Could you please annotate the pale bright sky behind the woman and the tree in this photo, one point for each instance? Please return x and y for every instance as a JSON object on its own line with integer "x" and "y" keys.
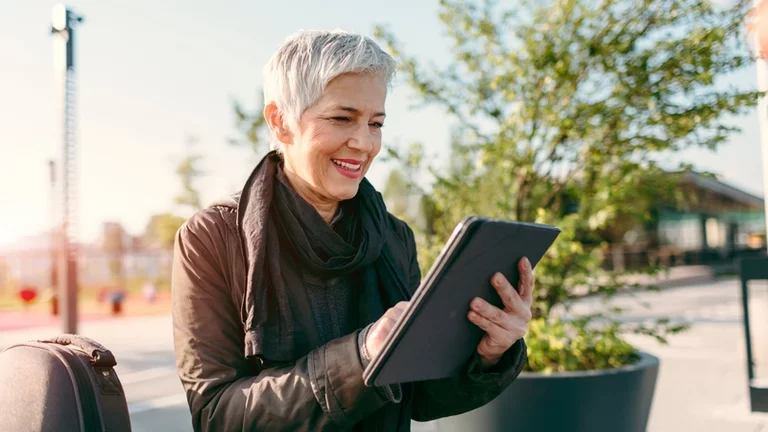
{"x": 150, "y": 74}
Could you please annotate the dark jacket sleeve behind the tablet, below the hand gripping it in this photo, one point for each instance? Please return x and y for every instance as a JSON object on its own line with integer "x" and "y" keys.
{"x": 473, "y": 387}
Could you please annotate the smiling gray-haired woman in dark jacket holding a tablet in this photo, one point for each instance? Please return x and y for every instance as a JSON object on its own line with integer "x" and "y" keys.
{"x": 283, "y": 293}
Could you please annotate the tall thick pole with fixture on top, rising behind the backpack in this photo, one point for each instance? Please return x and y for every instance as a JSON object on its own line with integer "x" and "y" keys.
{"x": 63, "y": 30}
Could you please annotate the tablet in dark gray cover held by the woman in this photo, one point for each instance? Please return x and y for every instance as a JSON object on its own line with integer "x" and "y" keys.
{"x": 434, "y": 338}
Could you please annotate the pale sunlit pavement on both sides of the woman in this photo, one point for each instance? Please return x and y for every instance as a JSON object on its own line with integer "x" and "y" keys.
{"x": 702, "y": 380}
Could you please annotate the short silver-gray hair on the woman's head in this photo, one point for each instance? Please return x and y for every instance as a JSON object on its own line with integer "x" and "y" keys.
{"x": 297, "y": 74}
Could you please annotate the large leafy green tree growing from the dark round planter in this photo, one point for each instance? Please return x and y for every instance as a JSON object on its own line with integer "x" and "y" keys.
{"x": 565, "y": 113}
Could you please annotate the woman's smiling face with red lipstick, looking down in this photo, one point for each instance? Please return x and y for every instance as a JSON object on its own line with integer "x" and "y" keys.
{"x": 338, "y": 138}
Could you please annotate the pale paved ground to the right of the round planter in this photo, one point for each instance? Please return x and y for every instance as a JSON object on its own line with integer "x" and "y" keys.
{"x": 702, "y": 384}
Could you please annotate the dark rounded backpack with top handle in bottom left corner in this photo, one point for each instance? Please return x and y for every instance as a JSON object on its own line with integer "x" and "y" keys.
{"x": 67, "y": 383}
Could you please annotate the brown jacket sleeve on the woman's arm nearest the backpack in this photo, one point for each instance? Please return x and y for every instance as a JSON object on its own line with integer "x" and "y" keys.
{"x": 321, "y": 390}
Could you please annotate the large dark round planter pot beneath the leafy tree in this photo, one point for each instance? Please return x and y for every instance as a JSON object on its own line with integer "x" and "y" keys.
{"x": 596, "y": 401}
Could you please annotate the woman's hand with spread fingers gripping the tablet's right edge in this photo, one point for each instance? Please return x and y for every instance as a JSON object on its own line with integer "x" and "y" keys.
{"x": 504, "y": 327}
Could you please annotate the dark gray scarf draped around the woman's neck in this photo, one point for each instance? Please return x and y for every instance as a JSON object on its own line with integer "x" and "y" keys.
{"x": 272, "y": 216}
